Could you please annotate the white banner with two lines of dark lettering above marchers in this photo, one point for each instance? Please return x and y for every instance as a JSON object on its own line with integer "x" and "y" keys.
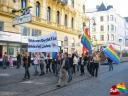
{"x": 47, "y": 43}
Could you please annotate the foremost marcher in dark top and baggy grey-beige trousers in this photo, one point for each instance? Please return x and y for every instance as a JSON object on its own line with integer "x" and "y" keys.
{"x": 63, "y": 76}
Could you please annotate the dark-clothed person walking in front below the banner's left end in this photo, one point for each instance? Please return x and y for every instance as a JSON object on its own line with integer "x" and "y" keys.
{"x": 26, "y": 65}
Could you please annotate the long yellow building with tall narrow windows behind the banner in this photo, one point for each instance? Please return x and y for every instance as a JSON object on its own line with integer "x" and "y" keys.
{"x": 65, "y": 17}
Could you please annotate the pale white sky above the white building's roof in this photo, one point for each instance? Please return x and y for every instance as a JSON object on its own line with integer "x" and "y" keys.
{"x": 121, "y": 6}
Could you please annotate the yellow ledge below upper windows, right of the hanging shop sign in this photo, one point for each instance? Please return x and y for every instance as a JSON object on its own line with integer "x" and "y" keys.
{"x": 48, "y": 24}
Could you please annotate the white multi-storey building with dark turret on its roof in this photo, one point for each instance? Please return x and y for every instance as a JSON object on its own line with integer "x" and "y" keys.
{"x": 107, "y": 27}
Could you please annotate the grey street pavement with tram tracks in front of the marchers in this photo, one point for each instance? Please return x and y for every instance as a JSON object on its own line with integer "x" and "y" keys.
{"x": 11, "y": 83}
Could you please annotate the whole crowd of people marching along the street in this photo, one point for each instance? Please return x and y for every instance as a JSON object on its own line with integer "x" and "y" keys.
{"x": 62, "y": 65}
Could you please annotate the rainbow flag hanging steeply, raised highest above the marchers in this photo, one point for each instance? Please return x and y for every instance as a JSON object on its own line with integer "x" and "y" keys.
{"x": 86, "y": 41}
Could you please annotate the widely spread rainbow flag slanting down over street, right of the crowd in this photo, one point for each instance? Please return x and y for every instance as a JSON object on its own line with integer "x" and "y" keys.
{"x": 111, "y": 53}
